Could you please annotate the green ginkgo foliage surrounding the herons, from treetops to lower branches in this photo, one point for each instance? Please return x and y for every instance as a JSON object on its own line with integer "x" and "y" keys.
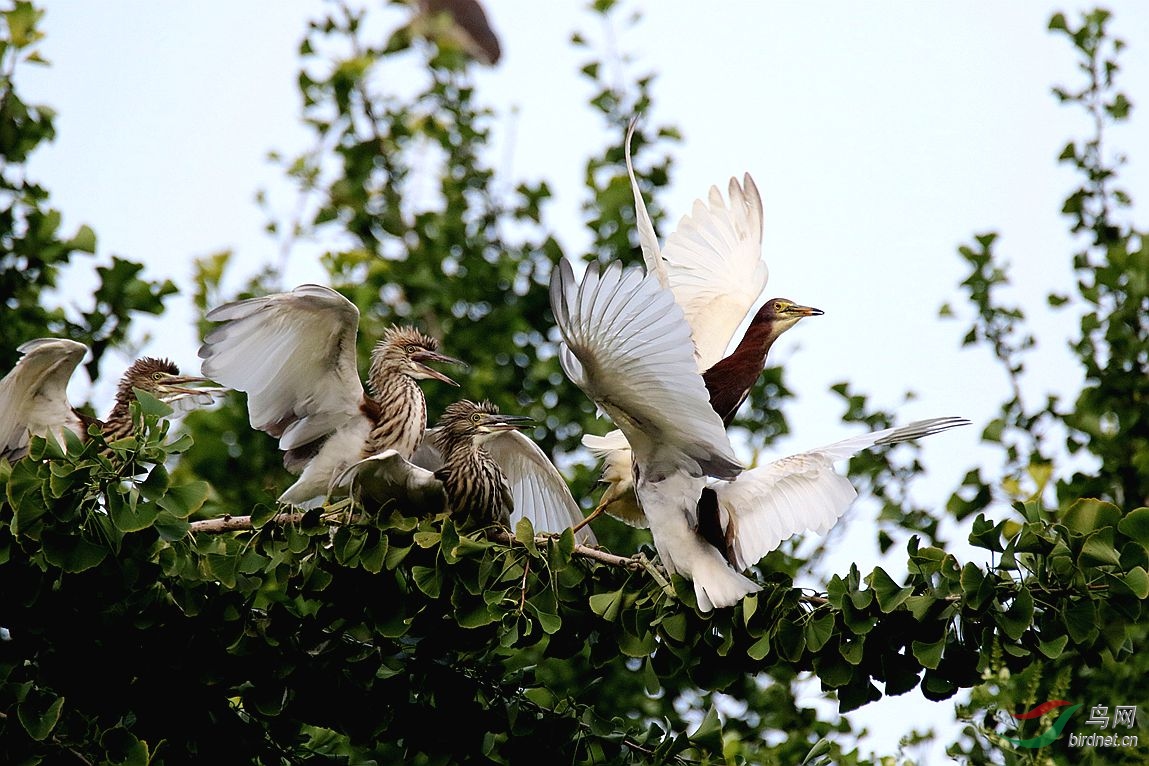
{"x": 157, "y": 607}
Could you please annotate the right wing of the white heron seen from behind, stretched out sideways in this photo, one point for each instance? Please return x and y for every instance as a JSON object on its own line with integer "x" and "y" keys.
{"x": 801, "y": 493}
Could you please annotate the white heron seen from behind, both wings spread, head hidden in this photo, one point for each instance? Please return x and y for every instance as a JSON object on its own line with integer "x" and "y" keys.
{"x": 627, "y": 345}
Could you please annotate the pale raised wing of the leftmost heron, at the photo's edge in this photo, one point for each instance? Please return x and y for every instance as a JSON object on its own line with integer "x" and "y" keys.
{"x": 34, "y": 396}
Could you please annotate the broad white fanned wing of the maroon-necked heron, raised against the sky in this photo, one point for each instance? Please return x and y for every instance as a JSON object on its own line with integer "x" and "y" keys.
{"x": 715, "y": 268}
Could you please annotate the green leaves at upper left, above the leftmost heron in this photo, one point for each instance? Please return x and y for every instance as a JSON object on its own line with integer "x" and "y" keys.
{"x": 33, "y": 249}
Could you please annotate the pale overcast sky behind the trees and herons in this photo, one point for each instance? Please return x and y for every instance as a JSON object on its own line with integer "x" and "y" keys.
{"x": 883, "y": 136}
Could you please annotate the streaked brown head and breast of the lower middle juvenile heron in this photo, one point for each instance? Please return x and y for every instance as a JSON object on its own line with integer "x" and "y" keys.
{"x": 474, "y": 482}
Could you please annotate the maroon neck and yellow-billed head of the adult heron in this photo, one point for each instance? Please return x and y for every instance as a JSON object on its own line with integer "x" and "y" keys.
{"x": 731, "y": 380}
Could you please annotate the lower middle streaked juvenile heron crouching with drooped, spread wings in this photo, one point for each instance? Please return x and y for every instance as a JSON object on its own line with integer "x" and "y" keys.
{"x": 466, "y": 443}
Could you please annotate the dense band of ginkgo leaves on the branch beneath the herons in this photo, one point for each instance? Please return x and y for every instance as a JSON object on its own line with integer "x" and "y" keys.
{"x": 318, "y": 635}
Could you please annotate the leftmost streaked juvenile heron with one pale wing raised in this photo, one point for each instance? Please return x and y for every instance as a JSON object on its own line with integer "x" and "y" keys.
{"x": 34, "y": 396}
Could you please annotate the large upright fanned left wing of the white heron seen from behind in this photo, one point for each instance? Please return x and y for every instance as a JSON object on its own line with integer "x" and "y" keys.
{"x": 628, "y": 346}
